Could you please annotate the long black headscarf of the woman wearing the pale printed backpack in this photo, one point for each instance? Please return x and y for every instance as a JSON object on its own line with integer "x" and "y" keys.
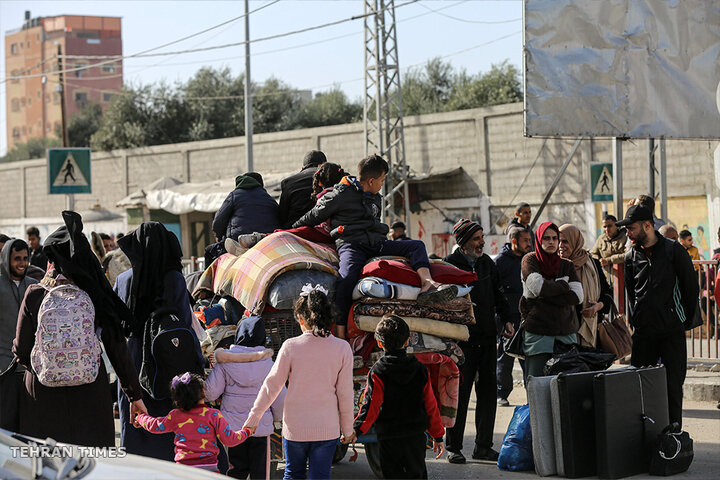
{"x": 69, "y": 251}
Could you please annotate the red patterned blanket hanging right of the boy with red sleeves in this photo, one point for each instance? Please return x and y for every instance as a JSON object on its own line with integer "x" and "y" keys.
{"x": 445, "y": 380}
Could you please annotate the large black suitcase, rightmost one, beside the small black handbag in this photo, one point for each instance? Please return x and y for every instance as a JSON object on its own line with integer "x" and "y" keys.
{"x": 631, "y": 409}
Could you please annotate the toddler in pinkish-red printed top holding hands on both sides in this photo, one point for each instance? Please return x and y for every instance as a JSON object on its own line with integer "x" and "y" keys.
{"x": 197, "y": 427}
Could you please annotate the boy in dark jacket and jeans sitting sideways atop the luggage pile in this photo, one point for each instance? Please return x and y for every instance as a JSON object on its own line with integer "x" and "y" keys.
{"x": 353, "y": 209}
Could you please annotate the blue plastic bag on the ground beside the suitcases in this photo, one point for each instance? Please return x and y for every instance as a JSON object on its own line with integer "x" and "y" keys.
{"x": 516, "y": 449}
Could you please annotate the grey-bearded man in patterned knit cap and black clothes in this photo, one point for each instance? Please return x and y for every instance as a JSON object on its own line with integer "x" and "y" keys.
{"x": 480, "y": 349}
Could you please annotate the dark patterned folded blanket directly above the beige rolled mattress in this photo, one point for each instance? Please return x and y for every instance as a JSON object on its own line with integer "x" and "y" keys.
{"x": 457, "y": 310}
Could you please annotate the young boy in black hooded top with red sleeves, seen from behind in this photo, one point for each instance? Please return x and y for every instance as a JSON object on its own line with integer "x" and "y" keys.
{"x": 399, "y": 400}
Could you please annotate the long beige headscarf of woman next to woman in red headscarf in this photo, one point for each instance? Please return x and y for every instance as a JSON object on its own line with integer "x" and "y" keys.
{"x": 588, "y": 275}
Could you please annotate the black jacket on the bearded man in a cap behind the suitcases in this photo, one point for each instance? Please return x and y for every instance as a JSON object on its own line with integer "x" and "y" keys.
{"x": 662, "y": 290}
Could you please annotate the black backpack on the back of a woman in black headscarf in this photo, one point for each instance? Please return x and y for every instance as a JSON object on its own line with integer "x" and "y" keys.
{"x": 168, "y": 350}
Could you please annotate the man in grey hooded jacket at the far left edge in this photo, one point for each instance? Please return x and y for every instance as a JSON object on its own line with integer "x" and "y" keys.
{"x": 13, "y": 283}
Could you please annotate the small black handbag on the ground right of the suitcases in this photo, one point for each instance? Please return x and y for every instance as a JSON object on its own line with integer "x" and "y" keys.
{"x": 673, "y": 452}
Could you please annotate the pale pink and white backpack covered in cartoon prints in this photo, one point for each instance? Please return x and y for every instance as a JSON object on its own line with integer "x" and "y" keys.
{"x": 67, "y": 351}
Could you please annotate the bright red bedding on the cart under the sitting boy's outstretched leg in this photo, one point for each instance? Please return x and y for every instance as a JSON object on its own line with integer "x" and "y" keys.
{"x": 401, "y": 272}
